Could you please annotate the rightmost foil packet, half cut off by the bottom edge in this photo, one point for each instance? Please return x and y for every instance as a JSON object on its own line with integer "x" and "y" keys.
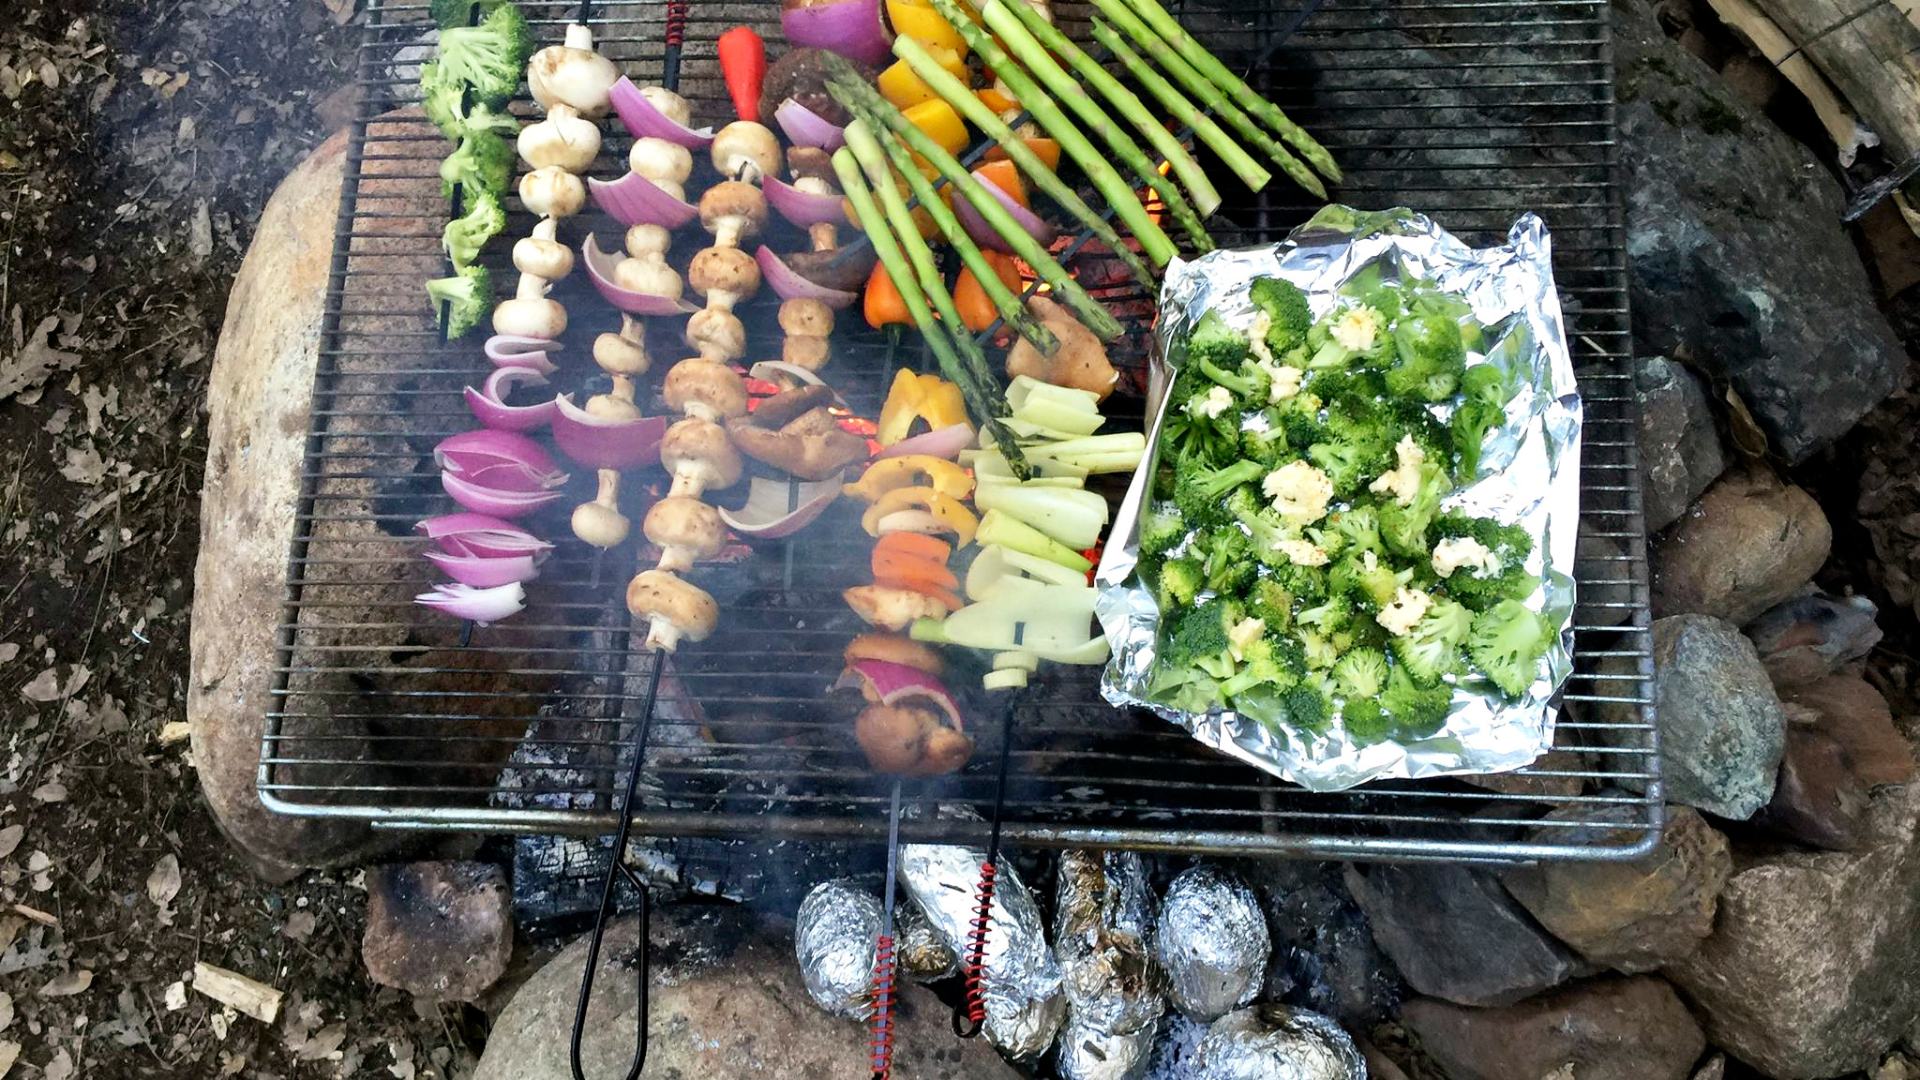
{"x": 1274, "y": 1043}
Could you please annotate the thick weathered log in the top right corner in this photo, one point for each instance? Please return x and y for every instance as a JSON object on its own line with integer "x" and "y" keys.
{"x": 1871, "y": 53}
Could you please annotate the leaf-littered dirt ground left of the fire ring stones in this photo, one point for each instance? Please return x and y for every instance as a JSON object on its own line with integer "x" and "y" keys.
{"x": 139, "y": 141}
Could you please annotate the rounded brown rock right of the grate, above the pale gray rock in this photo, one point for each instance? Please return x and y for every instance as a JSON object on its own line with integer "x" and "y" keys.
{"x": 1748, "y": 545}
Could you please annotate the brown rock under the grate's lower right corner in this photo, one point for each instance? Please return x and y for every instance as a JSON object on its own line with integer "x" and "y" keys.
{"x": 1629, "y": 916}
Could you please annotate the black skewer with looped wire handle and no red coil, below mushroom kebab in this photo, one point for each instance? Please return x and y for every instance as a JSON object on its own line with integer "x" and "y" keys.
{"x": 675, "y": 34}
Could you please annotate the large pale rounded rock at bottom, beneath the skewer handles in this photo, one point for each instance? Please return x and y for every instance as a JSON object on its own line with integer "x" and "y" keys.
{"x": 725, "y": 1000}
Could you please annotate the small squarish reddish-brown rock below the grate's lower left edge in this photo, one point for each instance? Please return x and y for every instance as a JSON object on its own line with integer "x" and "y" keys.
{"x": 439, "y": 931}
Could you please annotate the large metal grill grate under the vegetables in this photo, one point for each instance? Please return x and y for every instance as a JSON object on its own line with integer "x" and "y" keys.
{"x": 1468, "y": 110}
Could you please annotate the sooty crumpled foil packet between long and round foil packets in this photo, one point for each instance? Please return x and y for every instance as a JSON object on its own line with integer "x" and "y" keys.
{"x": 1105, "y": 914}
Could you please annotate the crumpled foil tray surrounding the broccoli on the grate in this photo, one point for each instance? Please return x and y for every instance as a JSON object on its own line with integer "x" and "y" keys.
{"x": 1533, "y": 479}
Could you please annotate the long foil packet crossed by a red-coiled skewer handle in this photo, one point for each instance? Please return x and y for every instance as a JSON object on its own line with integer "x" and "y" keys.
{"x": 1026, "y": 1000}
